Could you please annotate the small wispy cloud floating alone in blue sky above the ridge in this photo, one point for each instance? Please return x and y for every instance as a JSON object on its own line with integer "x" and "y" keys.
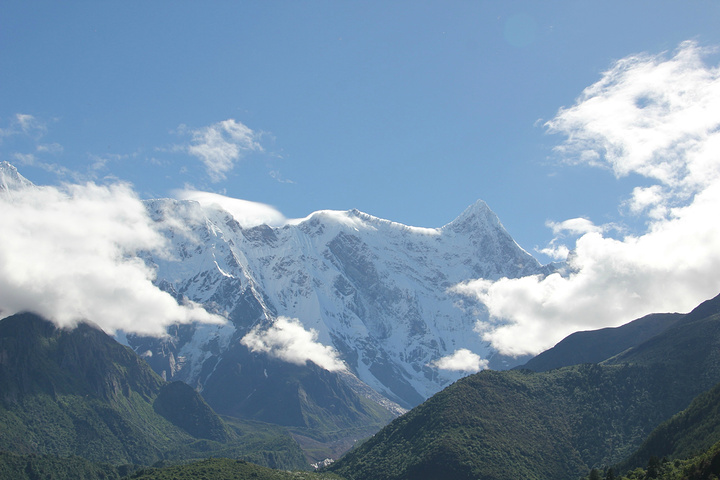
{"x": 220, "y": 145}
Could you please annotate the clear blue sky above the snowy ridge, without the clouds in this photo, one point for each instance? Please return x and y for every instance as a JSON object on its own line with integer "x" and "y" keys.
{"x": 409, "y": 111}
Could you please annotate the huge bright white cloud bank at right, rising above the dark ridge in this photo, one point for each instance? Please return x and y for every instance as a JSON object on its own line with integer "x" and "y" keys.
{"x": 656, "y": 117}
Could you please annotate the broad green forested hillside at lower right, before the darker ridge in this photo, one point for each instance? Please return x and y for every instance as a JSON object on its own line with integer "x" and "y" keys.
{"x": 553, "y": 424}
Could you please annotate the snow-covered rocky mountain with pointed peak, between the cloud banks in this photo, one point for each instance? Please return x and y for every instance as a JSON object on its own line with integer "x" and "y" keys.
{"x": 376, "y": 291}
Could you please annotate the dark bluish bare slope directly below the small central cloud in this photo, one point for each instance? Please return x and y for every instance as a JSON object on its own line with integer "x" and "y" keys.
{"x": 325, "y": 415}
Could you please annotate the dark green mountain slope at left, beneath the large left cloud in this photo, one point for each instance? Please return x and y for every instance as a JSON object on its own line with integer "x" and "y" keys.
{"x": 79, "y": 392}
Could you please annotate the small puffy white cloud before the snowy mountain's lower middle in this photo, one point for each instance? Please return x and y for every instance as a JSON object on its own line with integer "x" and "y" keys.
{"x": 287, "y": 340}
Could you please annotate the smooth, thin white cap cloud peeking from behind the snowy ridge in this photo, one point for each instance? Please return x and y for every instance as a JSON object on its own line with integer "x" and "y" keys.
{"x": 246, "y": 213}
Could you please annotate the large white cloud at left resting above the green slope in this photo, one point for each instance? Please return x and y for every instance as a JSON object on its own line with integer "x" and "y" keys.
{"x": 70, "y": 254}
